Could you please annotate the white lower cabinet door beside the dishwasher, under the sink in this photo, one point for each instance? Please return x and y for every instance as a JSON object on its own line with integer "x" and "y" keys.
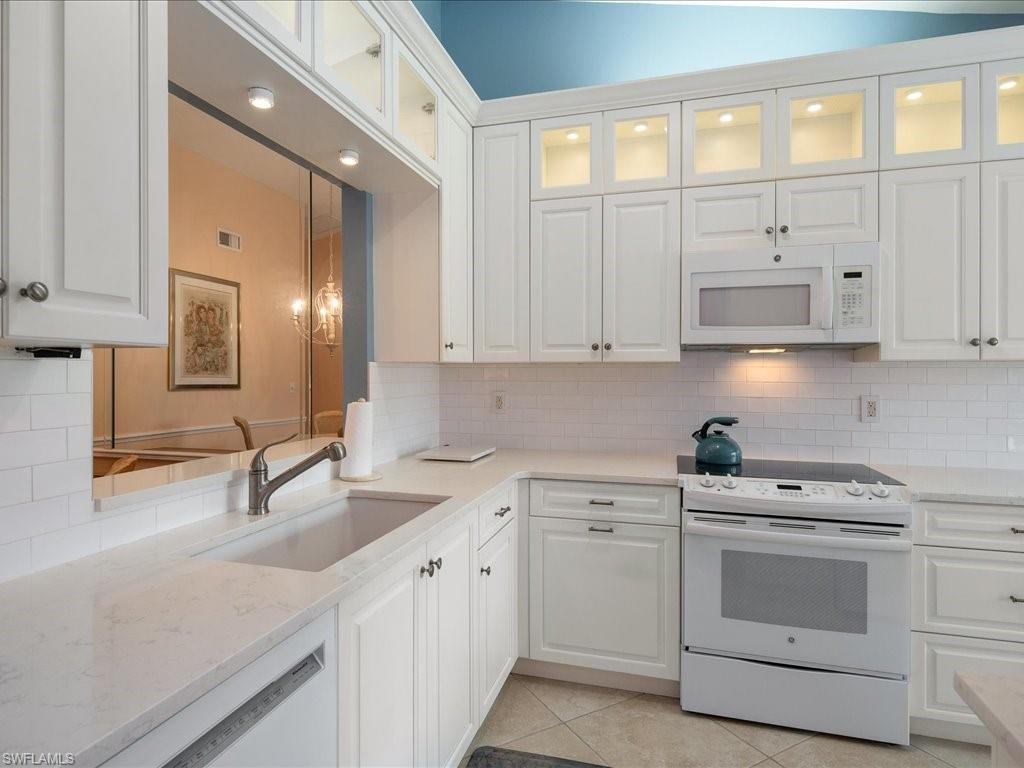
{"x": 382, "y": 669}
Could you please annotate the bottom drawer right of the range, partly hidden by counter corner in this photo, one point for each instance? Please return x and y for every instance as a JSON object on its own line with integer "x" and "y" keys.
{"x": 937, "y": 658}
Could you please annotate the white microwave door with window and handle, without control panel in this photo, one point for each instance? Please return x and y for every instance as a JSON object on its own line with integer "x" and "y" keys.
{"x": 763, "y": 296}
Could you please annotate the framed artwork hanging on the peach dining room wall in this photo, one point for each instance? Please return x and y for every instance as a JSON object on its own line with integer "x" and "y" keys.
{"x": 204, "y": 350}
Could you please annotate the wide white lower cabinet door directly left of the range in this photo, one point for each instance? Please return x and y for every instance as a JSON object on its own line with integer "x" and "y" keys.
{"x": 606, "y": 595}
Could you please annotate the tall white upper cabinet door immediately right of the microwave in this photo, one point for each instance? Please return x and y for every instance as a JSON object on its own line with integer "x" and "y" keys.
{"x": 930, "y": 264}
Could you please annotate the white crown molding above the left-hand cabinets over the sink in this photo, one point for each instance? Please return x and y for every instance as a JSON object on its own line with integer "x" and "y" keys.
{"x": 403, "y": 17}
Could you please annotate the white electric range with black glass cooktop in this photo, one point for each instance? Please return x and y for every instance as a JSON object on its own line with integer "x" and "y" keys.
{"x": 797, "y": 596}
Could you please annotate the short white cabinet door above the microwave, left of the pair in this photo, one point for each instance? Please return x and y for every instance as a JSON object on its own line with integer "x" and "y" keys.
{"x": 724, "y": 219}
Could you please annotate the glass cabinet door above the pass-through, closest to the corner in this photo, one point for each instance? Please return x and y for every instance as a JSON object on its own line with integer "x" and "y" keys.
{"x": 416, "y": 106}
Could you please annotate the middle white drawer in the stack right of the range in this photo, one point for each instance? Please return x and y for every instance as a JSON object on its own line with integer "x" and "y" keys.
{"x": 969, "y": 592}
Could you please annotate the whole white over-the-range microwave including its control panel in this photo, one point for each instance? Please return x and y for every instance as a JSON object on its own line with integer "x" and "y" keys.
{"x": 805, "y": 295}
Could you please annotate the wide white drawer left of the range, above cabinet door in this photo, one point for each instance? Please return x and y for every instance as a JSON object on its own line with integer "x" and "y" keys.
{"x": 605, "y": 501}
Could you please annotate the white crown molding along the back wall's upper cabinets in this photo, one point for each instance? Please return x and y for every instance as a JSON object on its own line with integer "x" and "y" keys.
{"x": 970, "y": 48}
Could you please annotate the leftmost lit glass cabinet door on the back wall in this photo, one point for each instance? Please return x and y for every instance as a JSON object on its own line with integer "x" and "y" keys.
{"x": 567, "y": 157}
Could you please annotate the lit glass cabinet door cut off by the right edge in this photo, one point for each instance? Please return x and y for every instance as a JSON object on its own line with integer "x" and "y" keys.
{"x": 1003, "y": 110}
